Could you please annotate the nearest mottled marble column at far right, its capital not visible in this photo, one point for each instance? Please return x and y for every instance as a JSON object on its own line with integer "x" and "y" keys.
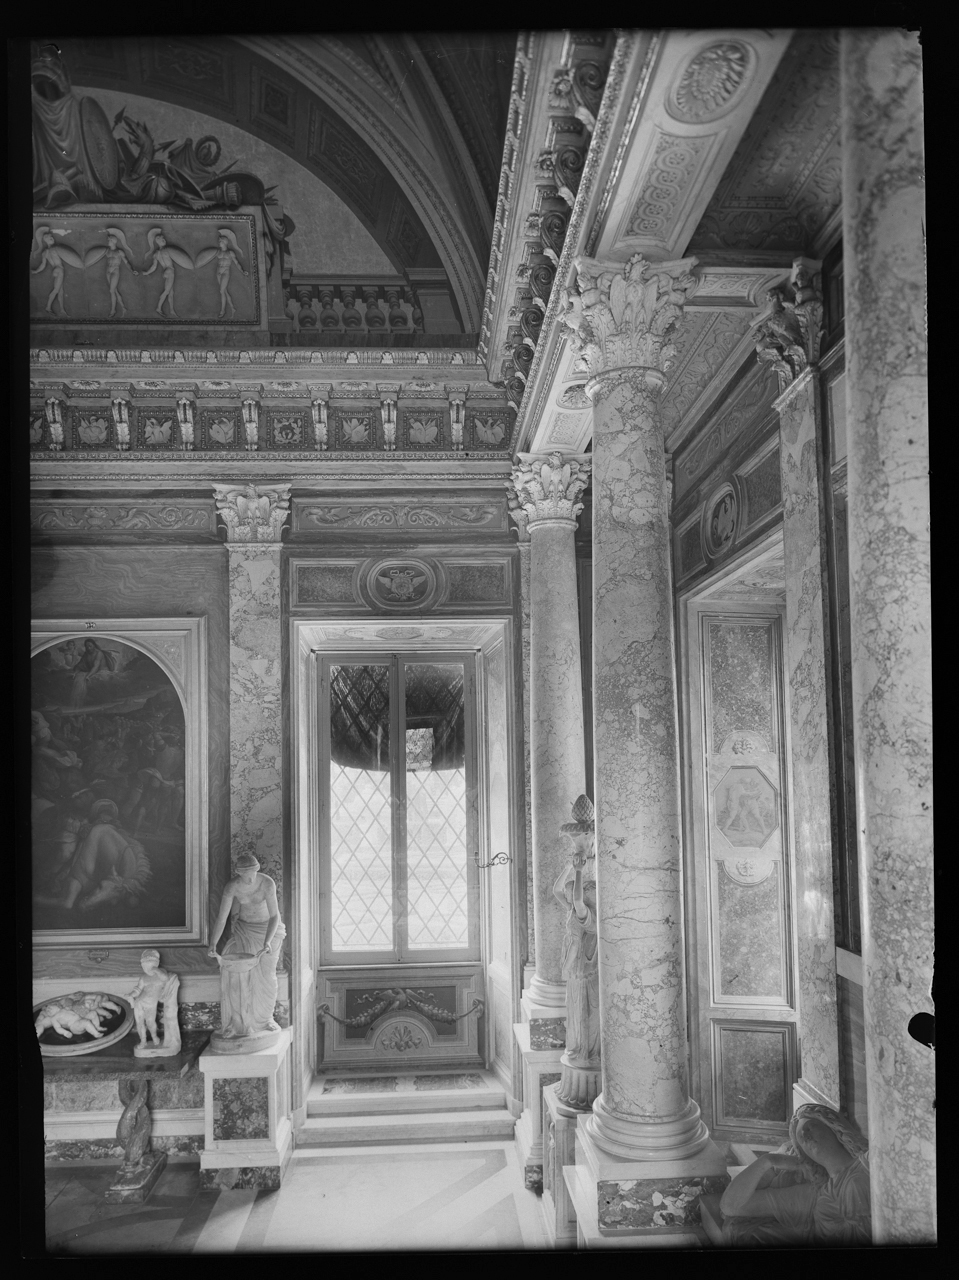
{"x": 889, "y": 574}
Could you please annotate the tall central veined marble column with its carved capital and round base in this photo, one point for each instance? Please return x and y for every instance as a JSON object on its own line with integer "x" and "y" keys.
{"x": 645, "y": 1132}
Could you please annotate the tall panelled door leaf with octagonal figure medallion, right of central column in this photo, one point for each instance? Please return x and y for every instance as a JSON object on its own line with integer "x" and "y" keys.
{"x": 742, "y": 971}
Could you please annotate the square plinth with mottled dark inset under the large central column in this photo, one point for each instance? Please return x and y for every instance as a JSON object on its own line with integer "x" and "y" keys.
{"x": 650, "y": 1203}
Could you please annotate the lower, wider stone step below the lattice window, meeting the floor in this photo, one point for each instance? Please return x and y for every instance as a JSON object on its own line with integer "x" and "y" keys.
{"x": 364, "y": 1131}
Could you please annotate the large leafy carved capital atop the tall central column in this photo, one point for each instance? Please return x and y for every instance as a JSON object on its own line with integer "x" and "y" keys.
{"x": 625, "y": 316}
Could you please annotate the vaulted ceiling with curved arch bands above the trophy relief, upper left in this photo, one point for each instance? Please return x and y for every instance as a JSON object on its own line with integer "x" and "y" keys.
{"x": 408, "y": 131}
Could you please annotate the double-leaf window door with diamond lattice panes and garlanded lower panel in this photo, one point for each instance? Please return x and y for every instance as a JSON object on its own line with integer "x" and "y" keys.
{"x": 401, "y": 980}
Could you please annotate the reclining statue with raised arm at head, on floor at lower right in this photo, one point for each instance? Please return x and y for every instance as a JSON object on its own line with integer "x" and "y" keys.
{"x": 814, "y": 1191}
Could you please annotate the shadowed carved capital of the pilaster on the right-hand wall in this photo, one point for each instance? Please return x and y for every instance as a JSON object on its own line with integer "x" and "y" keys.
{"x": 788, "y": 333}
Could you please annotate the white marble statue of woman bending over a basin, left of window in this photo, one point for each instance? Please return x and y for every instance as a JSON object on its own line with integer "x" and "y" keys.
{"x": 249, "y": 959}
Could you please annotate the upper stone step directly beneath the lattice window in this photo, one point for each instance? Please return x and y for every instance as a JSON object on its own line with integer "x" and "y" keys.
{"x": 404, "y": 1095}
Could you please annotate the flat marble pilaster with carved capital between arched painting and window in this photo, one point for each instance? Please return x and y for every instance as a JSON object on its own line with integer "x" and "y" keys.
{"x": 254, "y": 518}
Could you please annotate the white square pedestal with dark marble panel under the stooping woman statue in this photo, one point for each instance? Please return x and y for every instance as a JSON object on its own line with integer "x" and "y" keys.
{"x": 249, "y": 1136}
